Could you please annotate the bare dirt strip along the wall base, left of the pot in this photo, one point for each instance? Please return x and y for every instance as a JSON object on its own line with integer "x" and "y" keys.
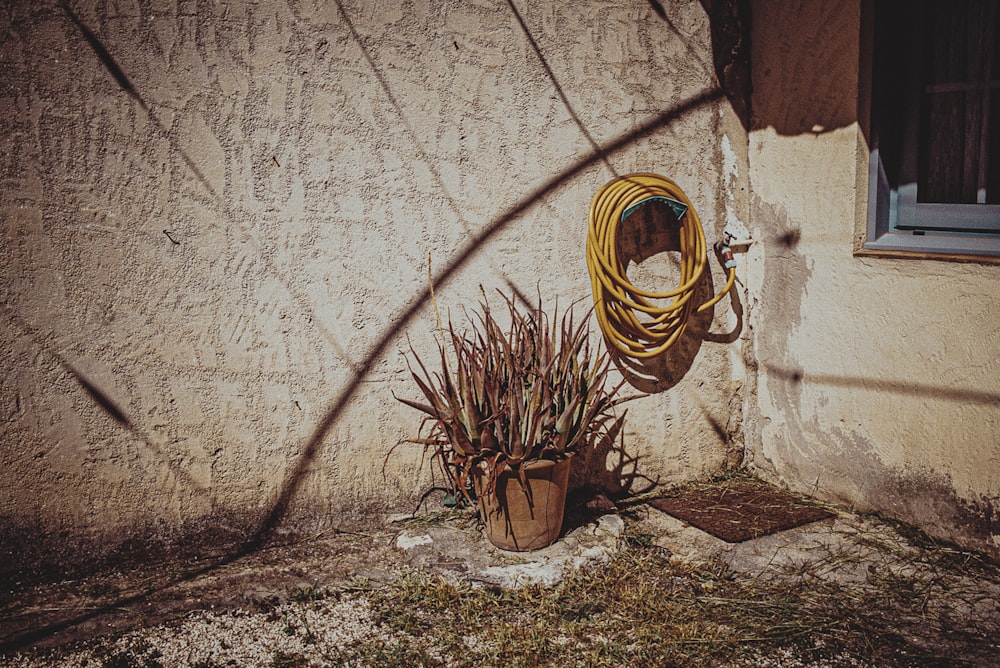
{"x": 59, "y": 613}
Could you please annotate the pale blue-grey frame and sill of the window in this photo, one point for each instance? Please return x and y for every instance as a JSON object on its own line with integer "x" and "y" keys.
{"x": 895, "y": 223}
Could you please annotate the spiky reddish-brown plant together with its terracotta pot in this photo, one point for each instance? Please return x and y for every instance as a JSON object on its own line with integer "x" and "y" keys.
{"x": 506, "y": 411}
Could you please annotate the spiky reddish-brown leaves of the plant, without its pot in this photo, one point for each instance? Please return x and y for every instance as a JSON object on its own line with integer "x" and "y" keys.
{"x": 504, "y": 397}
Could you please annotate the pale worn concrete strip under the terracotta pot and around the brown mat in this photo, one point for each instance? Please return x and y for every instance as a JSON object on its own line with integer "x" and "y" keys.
{"x": 847, "y": 548}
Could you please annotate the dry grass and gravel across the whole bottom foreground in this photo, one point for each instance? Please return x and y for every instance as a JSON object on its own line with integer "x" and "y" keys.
{"x": 915, "y": 603}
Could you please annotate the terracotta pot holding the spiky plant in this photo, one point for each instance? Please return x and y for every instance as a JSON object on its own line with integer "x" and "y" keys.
{"x": 512, "y": 522}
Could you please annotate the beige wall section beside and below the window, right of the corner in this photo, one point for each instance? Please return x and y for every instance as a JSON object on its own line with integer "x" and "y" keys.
{"x": 878, "y": 381}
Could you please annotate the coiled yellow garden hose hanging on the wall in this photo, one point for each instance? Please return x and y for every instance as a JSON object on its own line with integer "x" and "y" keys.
{"x": 629, "y": 317}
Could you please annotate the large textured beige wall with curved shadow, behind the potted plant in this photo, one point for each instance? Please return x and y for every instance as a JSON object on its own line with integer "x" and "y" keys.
{"x": 216, "y": 221}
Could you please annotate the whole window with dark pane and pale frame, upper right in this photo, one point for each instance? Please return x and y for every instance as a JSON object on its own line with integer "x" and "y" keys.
{"x": 934, "y": 177}
